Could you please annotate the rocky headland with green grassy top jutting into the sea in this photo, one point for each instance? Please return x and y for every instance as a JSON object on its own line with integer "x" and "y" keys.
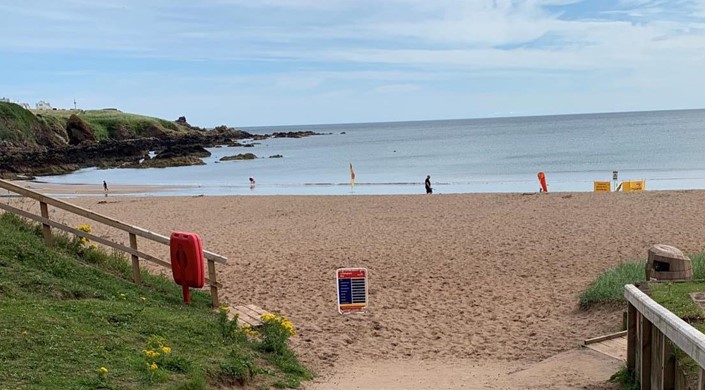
{"x": 36, "y": 143}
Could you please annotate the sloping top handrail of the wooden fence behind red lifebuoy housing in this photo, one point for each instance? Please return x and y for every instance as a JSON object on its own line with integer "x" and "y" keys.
{"x": 138, "y": 231}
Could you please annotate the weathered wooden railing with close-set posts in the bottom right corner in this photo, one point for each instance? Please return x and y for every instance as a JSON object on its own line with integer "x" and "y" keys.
{"x": 652, "y": 331}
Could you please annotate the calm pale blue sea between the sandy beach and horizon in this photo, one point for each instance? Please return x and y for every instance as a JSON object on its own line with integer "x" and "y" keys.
{"x": 665, "y": 148}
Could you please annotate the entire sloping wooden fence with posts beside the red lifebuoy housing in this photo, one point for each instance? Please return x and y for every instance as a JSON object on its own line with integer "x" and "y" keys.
{"x": 132, "y": 231}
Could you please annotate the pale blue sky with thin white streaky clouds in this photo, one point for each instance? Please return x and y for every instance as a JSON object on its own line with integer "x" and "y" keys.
{"x": 293, "y": 62}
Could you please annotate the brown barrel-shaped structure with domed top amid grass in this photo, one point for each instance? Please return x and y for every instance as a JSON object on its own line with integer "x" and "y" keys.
{"x": 668, "y": 263}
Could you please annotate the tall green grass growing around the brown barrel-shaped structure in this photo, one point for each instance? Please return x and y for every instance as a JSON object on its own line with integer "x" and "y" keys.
{"x": 609, "y": 287}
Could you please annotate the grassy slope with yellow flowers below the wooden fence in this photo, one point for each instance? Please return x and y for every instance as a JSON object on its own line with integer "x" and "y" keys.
{"x": 72, "y": 319}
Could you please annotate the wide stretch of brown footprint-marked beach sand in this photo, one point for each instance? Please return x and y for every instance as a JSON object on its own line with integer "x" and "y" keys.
{"x": 464, "y": 289}
